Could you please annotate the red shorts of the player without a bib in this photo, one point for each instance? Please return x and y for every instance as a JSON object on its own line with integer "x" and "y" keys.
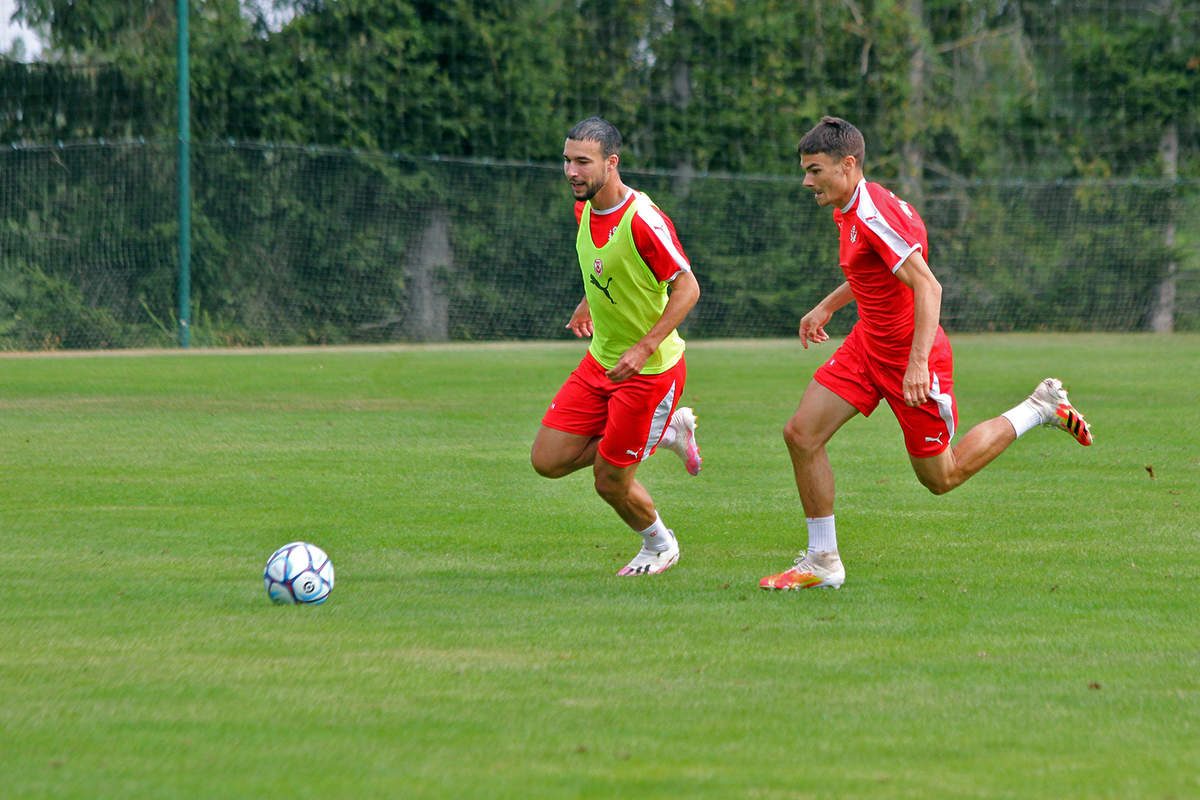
{"x": 854, "y": 376}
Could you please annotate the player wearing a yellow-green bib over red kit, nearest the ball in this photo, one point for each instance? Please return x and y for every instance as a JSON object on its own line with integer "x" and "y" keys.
{"x": 622, "y": 401}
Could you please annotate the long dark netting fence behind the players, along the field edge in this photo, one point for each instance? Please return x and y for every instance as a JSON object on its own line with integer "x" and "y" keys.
{"x": 322, "y": 246}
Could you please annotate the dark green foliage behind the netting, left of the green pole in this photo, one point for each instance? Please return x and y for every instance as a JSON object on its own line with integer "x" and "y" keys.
{"x": 87, "y": 228}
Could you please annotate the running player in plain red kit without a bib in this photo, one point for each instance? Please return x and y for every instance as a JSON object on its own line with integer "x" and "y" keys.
{"x": 896, "y": 352}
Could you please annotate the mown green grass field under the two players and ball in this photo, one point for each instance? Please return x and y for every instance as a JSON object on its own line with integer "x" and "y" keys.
{"x": 1031, "y": 635}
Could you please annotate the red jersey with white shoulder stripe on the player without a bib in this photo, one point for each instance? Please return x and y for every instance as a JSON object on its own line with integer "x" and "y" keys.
{"x": 878, "y": 232}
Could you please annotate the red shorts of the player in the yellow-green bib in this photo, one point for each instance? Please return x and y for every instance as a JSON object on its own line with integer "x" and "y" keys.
{"x": 631, "y": 416}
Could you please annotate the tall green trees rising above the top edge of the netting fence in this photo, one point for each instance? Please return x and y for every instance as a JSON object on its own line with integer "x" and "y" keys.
{"x": 712, "y": 86}
